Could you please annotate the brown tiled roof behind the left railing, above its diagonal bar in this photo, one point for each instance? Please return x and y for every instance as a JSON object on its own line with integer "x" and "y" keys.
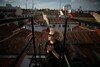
{"x": 15, "y": 44}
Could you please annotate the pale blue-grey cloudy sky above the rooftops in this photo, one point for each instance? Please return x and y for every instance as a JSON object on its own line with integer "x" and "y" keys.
{"x": 55, "y": 4}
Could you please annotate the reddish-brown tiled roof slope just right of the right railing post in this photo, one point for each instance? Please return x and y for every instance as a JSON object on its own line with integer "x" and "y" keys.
{"x": 83, "y": 37}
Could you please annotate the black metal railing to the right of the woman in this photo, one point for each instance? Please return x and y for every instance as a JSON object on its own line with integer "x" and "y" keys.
{"x": 80, "y": 22}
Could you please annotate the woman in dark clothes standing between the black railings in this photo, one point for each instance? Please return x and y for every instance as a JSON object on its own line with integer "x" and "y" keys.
{"x": 53, "y": 49}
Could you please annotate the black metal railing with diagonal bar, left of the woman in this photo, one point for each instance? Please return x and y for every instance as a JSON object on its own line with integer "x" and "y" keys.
{"x": 22, "y": 53}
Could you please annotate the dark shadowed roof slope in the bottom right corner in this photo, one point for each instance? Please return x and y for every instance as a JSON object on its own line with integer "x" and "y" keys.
{"x": 88, "y": 52}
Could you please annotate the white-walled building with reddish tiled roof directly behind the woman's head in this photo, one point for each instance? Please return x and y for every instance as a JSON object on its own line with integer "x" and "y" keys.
{"x": 53, "y": 19}
